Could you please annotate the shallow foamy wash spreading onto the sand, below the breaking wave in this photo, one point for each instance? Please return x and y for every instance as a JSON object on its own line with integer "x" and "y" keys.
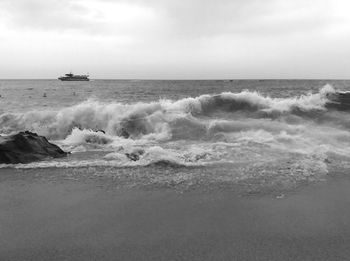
{"x": 190, "y": 167}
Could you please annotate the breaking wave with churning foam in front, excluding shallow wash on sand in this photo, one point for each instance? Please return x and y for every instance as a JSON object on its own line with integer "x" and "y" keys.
{"x": 246, "y": 124}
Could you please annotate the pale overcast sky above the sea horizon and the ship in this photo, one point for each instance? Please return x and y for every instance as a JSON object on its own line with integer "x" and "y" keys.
{"x": 175, "y": 39}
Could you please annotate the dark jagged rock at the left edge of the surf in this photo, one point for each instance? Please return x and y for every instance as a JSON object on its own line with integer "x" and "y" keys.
{"x": 25, "y": 147}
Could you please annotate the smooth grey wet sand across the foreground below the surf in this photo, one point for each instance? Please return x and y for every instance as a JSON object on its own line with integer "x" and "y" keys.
{"x": 80, "y": 220}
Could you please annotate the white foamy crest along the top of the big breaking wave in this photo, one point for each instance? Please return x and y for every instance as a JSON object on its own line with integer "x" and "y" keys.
{"x": 148, "y": 119}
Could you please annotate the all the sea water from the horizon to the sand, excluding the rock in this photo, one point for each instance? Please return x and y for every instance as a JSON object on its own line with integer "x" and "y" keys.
{"x": 255, "y": 134}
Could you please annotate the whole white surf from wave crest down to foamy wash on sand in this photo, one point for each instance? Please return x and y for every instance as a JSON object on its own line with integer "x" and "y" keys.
{"x": 267, "y": 139}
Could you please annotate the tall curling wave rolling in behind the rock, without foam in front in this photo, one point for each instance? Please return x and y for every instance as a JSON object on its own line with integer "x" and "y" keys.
{"x": 190, "y": 118}
